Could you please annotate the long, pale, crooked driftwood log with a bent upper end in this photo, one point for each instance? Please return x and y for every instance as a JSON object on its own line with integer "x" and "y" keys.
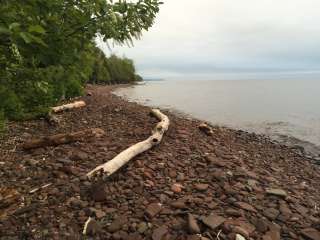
{"x": 122, "y": 158}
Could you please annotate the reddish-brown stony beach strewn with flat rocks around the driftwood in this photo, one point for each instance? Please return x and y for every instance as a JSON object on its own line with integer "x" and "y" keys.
{"x": 230, "y": 185}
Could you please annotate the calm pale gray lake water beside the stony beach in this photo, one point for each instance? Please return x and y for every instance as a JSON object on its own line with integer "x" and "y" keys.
{"x": 285, "y": 110}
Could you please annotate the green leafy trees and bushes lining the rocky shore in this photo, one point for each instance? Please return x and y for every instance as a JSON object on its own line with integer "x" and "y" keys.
{"x": 47, "y": 51}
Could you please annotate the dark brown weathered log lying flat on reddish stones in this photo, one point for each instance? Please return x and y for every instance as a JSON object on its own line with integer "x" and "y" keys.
{"x": 63, "y": 138}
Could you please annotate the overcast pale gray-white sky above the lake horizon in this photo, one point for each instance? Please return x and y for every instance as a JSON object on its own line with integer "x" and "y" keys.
{"x": 207, "y": 36}
